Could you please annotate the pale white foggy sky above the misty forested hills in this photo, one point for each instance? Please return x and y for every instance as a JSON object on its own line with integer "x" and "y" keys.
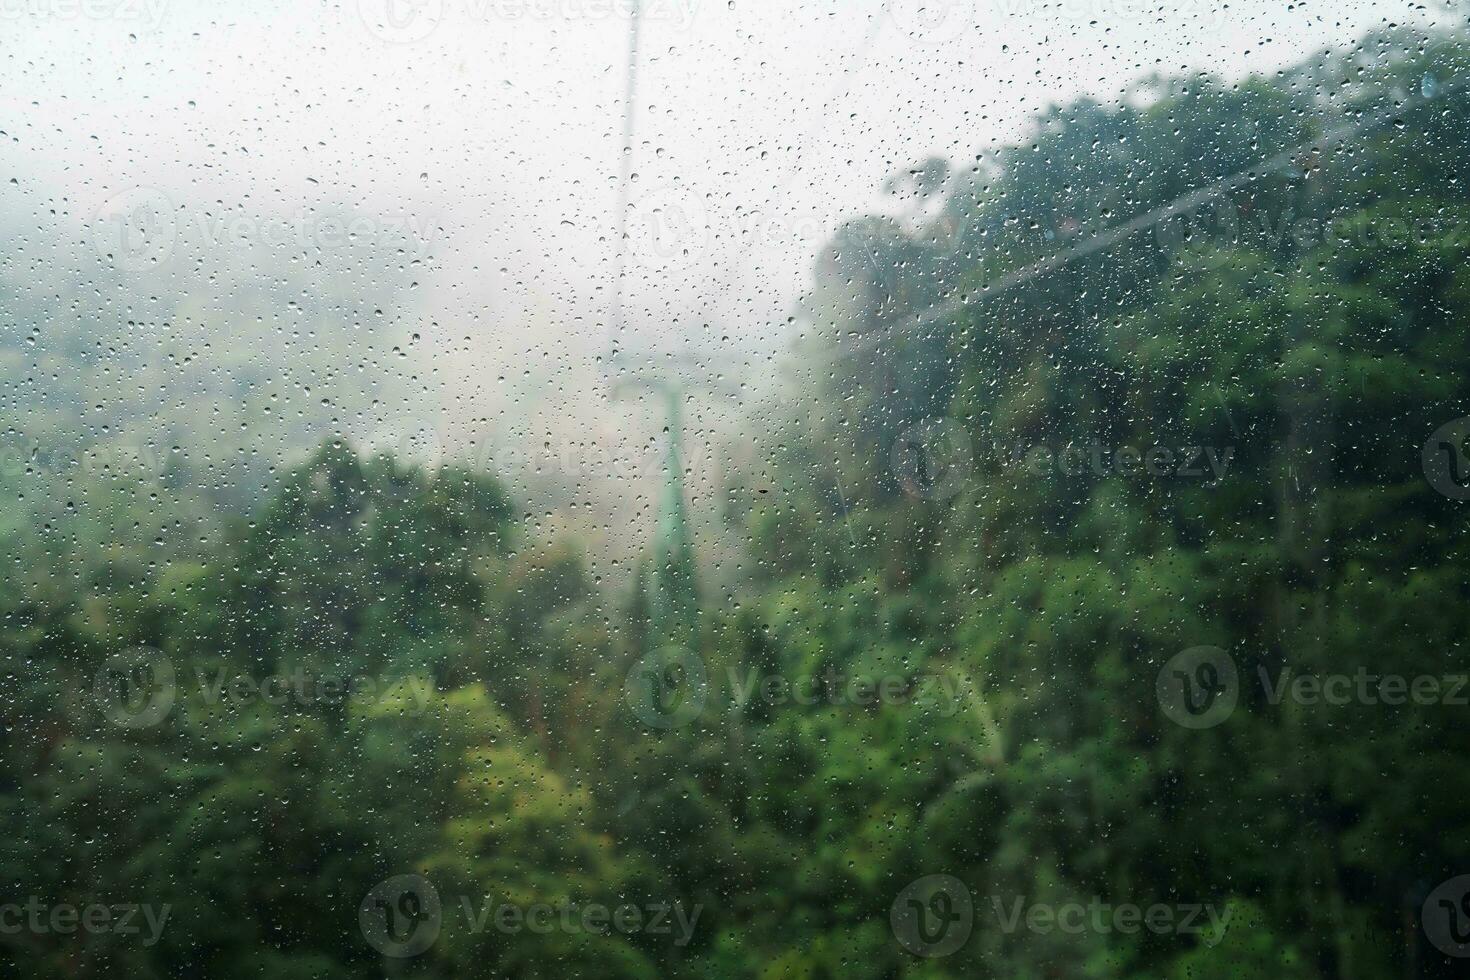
{"x": 495, "y": 124}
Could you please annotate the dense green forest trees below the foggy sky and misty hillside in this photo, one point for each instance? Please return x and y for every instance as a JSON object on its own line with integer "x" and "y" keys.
{"x": 1077, "y": 587}
